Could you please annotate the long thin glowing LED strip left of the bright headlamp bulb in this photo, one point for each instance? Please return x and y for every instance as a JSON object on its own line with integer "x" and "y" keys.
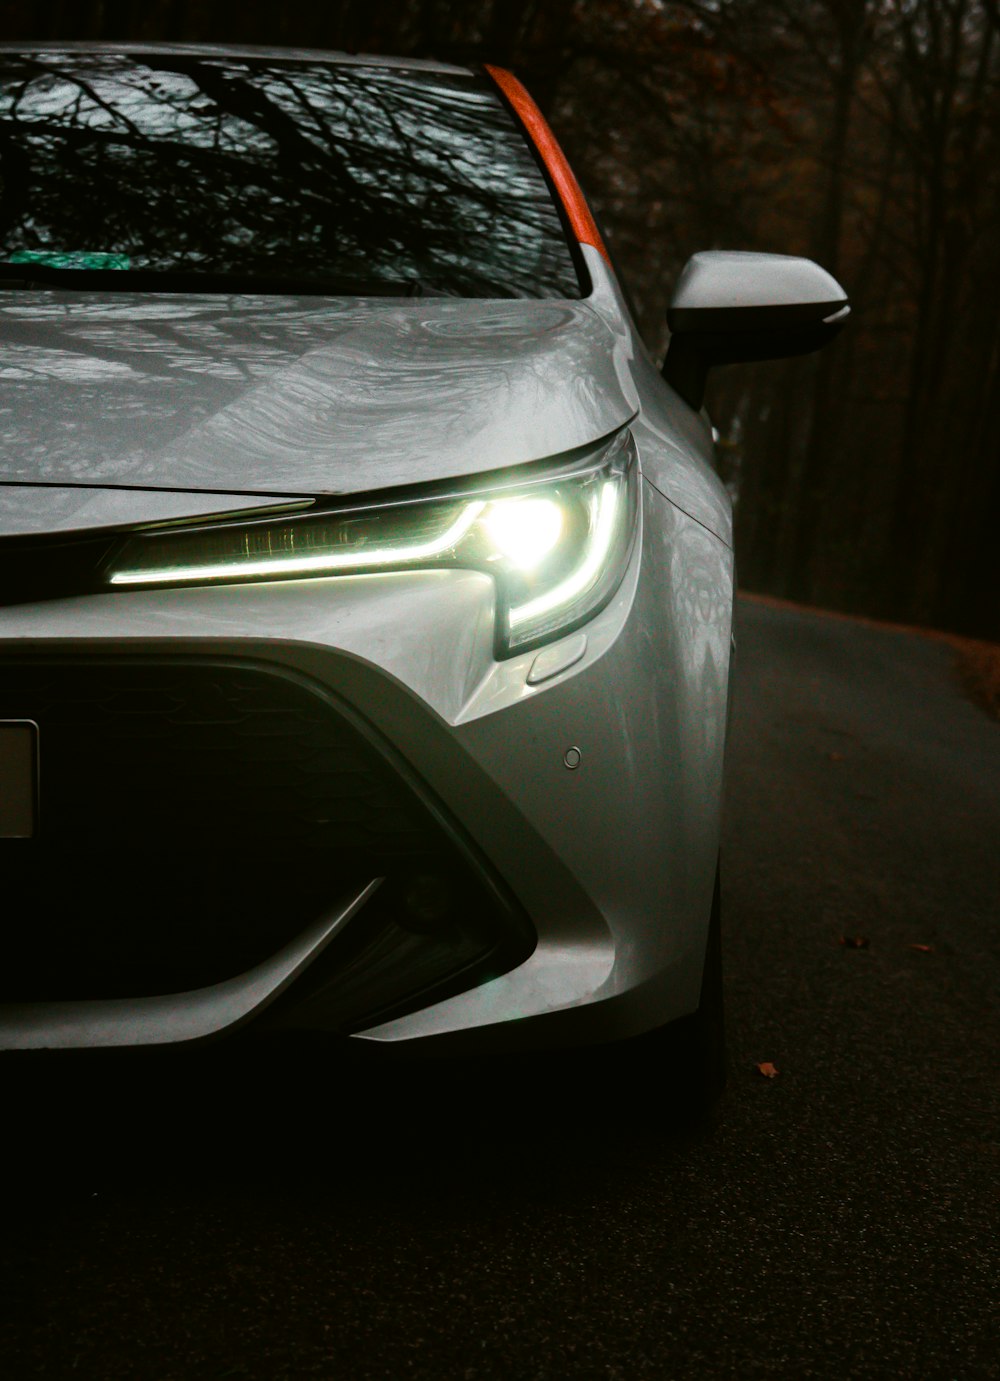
{"x": 314, "y": 566}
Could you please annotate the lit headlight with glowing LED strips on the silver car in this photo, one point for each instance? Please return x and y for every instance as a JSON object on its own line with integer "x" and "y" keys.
{"x": 557, "y": 545}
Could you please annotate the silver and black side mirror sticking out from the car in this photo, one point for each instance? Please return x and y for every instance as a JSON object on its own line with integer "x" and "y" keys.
{"x": 734, "y": 307}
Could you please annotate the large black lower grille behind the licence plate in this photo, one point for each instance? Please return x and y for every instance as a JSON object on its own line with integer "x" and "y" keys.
{"x": 194, "y": 818}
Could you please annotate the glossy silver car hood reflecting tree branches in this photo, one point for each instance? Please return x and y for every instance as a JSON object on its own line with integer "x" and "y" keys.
{"x": 296, "y": 396}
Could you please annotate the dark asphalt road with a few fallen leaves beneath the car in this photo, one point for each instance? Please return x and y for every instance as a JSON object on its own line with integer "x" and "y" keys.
{"x": 839, "y": 1220}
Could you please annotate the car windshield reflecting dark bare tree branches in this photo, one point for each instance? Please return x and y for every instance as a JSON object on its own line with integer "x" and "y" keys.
{"x": 230, "y": 173}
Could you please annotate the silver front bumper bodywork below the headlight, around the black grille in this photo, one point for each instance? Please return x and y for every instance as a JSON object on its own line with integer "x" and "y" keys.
{"x": 604, "y": 869}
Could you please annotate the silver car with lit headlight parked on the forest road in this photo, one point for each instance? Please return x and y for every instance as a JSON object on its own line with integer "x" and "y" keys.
{"x": 367, "y": 588}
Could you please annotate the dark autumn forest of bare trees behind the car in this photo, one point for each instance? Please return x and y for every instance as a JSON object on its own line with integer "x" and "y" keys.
{"x": 863, "y": 133}
